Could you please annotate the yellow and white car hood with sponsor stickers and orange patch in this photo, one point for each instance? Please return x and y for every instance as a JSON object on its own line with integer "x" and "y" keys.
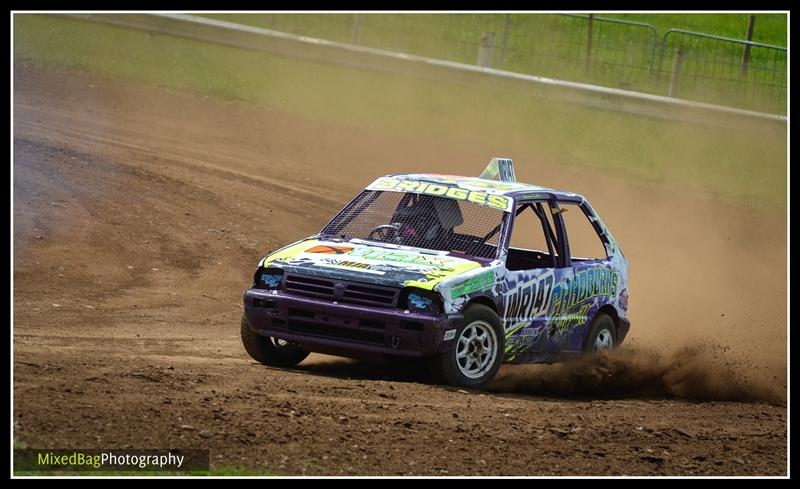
{"x": 367, "y": 262}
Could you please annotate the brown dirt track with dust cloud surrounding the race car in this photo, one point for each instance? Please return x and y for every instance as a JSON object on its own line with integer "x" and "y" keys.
{"x": 140, "y": 213}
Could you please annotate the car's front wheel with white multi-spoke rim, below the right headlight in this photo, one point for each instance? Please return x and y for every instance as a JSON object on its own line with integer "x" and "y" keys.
{"x": 477, "y": 354}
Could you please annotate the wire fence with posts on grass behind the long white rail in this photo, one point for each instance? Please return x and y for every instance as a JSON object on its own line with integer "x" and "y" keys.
{"x": 577, "y": 47}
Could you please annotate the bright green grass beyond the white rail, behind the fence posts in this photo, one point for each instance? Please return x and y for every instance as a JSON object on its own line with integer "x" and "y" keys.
{"x": 556, "y": 46}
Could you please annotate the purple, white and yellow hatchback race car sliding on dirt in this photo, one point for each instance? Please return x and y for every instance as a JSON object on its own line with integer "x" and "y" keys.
{"x": 428, "y": 267}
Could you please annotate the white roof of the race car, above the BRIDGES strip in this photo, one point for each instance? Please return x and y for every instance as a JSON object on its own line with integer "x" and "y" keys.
{"x": 516, "y": 190}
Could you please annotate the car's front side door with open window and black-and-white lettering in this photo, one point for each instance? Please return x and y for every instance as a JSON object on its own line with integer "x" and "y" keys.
{"x": 536, "y": 263}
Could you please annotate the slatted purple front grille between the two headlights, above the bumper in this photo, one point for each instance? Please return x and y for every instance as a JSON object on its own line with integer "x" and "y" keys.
{"x": 340, "y": 290}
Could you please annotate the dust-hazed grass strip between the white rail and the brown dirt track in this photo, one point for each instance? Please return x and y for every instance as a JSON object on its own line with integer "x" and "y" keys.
{"x": 745, "y": 165}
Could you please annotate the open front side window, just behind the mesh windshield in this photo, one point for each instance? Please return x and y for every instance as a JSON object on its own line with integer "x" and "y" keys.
{"x": 530, "y": 247}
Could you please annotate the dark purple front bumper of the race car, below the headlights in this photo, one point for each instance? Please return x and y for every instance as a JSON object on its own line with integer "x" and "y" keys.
{"x": 323, "y": 325}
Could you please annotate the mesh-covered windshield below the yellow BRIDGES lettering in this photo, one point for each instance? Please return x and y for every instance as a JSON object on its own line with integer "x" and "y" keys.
{"x": 422, "y": 221}
